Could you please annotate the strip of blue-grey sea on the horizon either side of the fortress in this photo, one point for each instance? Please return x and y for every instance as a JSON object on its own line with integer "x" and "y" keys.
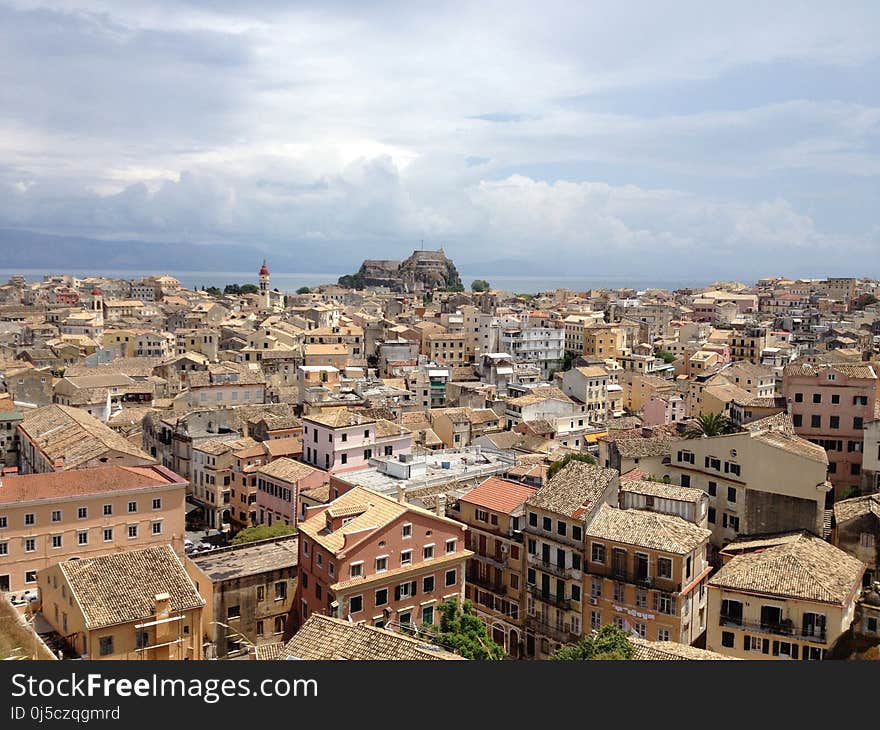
{"x": 288, "y": 282}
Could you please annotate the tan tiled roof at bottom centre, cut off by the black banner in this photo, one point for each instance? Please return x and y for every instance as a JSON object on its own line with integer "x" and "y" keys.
{"x": 326, "y": 638}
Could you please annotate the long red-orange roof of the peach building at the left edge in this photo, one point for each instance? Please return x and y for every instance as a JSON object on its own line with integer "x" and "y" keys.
{"x": 79, "y": 482}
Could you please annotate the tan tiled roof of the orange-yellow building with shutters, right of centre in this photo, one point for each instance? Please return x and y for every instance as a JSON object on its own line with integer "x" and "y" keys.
{"x": 646, "y": 529}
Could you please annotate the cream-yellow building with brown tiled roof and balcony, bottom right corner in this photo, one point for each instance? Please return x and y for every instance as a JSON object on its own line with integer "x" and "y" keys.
{"x": 784, "y": 597}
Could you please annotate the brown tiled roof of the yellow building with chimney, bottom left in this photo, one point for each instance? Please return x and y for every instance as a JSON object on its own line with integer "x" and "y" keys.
{"x": 121, "y": 587}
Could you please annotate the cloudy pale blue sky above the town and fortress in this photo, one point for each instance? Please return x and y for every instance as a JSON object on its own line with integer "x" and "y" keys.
{"x": 592, "y": 137}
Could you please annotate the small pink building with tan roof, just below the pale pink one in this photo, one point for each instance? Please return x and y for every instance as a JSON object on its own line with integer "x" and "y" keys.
{"x": 279, "y": 484}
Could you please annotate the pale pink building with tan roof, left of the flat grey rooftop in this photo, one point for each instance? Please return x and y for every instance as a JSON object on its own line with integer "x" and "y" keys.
{"x": 341, "y": 440}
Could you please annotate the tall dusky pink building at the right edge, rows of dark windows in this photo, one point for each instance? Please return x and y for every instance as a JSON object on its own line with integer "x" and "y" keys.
{"x": 830, "y": 405}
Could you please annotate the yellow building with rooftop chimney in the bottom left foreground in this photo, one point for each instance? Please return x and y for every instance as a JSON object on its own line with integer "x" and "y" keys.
{"x": 137, "y": 604}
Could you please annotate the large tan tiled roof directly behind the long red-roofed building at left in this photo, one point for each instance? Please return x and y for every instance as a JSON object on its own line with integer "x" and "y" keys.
{"x": 74, "y": 435}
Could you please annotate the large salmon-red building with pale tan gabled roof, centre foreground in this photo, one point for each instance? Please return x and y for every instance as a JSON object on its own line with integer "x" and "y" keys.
{"x": 367, "y": 557}
